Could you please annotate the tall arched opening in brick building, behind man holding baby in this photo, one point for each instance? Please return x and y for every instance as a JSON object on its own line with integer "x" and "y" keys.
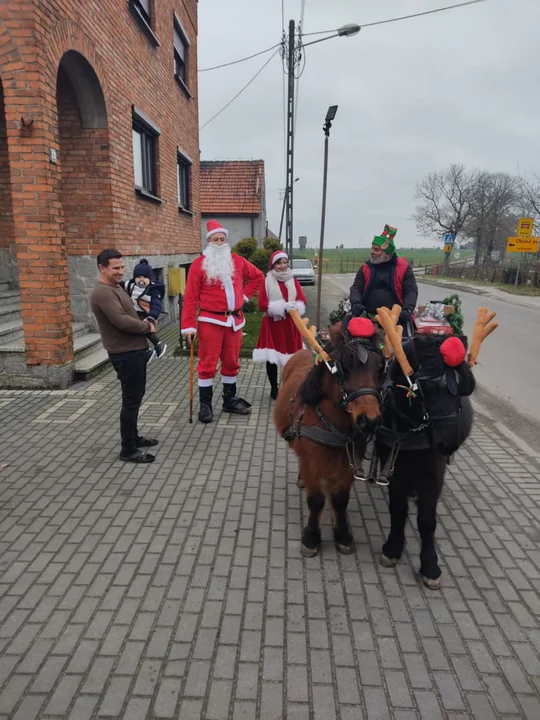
{"x": 84, "y": 163}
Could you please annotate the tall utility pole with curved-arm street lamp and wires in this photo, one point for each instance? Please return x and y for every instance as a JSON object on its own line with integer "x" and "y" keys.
{"x": 344, "y": 31}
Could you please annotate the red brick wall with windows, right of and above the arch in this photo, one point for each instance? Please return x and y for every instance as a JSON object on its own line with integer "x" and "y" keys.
{"x": 132, "y": 72}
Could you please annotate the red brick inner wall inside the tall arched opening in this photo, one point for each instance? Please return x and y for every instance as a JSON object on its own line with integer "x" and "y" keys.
{"x": 85, "y": 173}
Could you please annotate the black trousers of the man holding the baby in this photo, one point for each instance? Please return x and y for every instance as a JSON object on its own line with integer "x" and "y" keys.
{"x": 131, "y": 371}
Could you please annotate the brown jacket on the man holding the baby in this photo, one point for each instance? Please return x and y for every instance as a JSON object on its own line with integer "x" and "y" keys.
{"x": 120, "y": 327}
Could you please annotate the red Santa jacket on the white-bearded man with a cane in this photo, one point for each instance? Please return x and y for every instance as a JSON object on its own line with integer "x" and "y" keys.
{"x": 219, "y": 297}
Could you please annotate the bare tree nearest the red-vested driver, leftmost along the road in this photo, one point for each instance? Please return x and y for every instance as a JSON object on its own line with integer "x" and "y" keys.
{"x": 446, "y": 199}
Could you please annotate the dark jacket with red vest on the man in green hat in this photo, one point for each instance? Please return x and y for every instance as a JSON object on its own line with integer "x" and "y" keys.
{"x": 382, "y": 290}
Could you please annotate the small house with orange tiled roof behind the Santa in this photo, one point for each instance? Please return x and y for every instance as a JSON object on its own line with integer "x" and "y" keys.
{"x": 233, "y": 192}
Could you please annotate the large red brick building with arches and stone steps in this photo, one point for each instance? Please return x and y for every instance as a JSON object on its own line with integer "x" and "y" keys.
{"x": 98, "y": 148}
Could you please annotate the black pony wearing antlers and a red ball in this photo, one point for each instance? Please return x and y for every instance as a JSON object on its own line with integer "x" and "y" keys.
{"x": 426, "y": 417}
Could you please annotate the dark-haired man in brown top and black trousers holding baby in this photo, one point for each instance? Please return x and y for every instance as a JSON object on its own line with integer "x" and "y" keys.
{"x": 124, "y": 337}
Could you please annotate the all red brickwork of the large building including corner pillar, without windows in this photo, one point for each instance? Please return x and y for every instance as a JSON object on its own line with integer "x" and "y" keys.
{"x": 33, "y": 38}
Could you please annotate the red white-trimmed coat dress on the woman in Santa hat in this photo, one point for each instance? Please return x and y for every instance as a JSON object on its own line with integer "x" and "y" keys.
{"x": 279, "y": 338}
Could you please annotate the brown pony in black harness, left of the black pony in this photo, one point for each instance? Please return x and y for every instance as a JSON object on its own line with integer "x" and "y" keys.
{"x": 327, "y": 412}
